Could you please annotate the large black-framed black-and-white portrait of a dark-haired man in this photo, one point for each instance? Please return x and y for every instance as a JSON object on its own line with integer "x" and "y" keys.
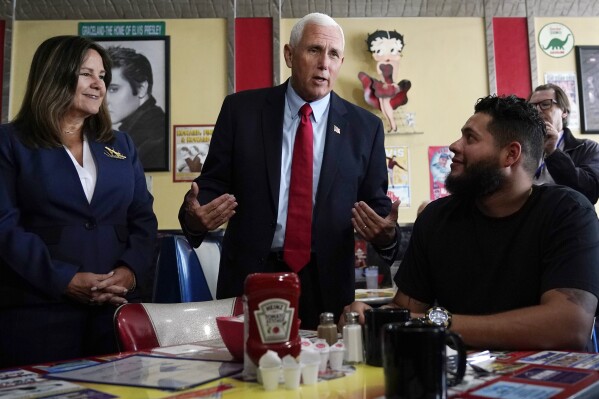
{"x": 138, "y": 94}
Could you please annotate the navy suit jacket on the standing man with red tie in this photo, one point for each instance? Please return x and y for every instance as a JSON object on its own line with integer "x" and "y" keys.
{"x": 245, "y": 160}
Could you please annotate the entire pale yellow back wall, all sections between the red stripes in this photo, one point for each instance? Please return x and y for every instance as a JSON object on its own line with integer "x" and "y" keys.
{"x": 444, "y": 58}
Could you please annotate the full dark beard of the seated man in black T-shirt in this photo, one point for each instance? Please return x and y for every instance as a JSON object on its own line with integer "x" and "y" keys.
{"x": 478, "y": 180}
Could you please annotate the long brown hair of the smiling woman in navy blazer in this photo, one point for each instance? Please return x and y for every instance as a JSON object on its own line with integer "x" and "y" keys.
{"x": 51, "y": 87}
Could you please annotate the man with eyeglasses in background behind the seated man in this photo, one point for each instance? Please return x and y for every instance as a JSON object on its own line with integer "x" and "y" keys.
{"x": 566, "y": 160}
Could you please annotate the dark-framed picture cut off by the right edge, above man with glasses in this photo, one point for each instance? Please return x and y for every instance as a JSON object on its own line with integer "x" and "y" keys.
{"x": 587, "y": 70}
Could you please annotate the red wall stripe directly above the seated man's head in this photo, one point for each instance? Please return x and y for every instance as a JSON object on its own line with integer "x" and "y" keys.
{"x": 512, "y": 60}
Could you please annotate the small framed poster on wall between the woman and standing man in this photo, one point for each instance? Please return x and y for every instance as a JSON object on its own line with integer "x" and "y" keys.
{"x": 191, "y": 145}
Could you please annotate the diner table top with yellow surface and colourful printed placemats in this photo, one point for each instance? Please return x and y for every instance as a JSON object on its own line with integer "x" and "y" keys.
{"x": 547, "y": 374}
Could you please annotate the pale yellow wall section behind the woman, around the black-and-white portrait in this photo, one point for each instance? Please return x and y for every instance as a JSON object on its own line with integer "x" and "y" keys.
{"x": 198, "y": 84}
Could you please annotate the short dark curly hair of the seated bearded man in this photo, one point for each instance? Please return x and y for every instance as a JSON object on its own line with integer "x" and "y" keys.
{"x": 515, "y": 119}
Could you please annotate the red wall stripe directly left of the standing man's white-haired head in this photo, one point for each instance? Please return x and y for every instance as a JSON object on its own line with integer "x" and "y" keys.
{"x": 253, "y": 53}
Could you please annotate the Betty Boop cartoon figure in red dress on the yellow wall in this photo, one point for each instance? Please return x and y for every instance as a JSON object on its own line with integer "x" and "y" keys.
{"x": 383, "y": 91}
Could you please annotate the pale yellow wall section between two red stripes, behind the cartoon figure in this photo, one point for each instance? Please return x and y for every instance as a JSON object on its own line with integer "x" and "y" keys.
{"x": 446, "y": 61}
